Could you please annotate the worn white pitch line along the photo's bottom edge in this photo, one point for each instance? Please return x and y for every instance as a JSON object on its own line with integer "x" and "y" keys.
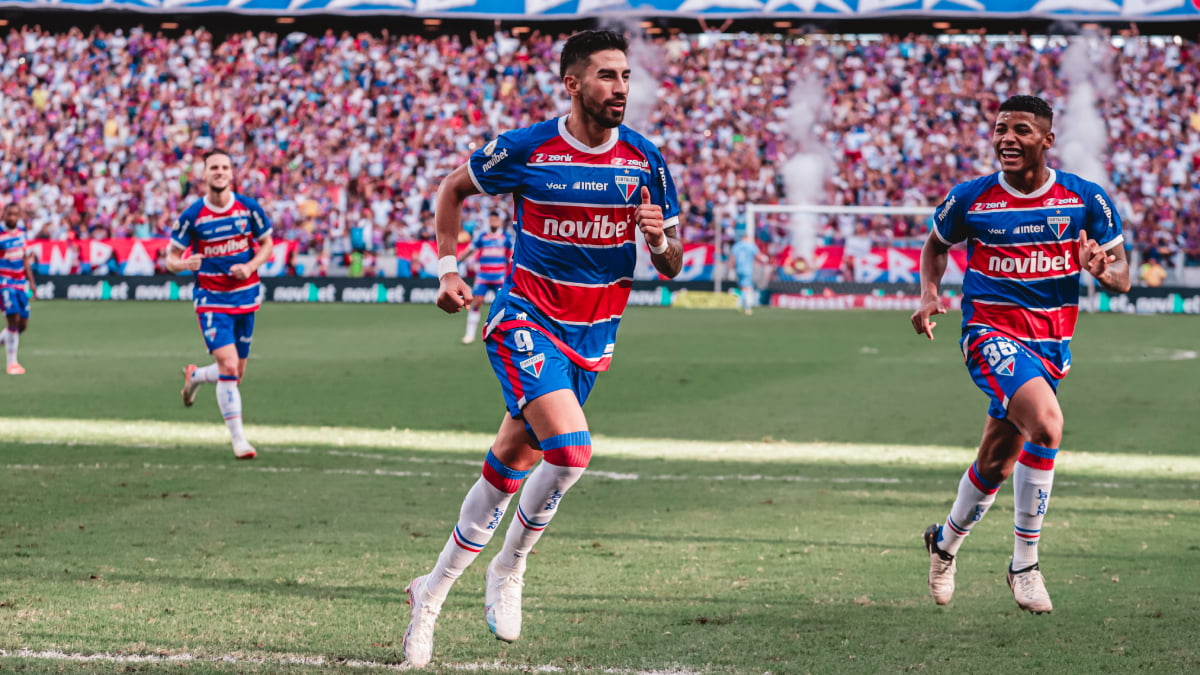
{"x": 316, "y": 662}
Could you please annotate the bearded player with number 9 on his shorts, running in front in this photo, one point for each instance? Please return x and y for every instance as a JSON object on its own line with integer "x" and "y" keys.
{"x": 581, "y": 184}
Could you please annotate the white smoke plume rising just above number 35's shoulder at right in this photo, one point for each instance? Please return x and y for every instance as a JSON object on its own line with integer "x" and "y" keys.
{"x": 1082, "y": 135}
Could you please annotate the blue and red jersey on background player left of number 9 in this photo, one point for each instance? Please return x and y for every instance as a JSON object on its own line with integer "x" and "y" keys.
{"x": 225, "y": 240}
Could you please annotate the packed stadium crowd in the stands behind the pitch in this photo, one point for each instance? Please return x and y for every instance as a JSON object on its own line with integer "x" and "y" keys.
{"x": 345, "y": 138}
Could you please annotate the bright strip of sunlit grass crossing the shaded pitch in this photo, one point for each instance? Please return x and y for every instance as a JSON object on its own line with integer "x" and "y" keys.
{"x": 157, "y": 433}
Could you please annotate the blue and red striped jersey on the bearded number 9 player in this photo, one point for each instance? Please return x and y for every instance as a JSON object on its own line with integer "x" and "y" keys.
{"x": 573, "y": 266}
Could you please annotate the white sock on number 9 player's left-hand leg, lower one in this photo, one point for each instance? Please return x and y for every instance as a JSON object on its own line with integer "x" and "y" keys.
{"x": 478, "y": 519}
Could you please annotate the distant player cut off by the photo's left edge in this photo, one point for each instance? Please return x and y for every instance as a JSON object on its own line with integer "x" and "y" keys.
{"x": 16, "y": 285}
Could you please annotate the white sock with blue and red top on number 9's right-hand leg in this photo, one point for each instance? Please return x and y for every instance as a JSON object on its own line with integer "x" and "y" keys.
{"x": 566, "y": 459}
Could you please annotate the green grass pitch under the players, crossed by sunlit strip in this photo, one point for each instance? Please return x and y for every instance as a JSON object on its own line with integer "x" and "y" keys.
{"x": 755, "y": 503}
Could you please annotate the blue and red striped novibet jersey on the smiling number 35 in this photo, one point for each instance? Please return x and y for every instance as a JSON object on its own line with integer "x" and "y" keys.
{"x": 1023, "y": 256}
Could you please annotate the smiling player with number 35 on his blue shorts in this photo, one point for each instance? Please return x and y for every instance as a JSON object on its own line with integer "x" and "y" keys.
{"x": 1030, "y": 230}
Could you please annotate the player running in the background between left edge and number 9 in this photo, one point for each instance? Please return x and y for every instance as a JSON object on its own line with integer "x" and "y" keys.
{"x": 230, "y": 237}
